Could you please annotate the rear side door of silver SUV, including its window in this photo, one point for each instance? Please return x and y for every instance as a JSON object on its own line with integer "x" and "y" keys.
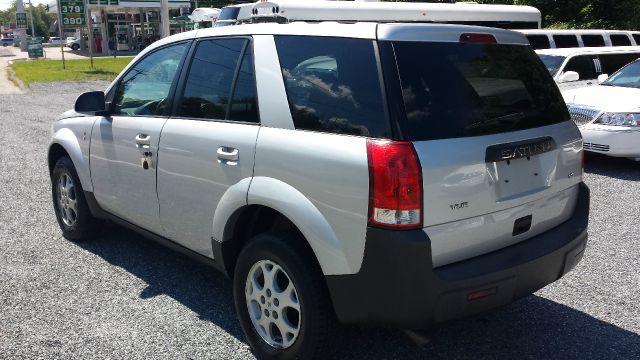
{"x": 209, "y": 144}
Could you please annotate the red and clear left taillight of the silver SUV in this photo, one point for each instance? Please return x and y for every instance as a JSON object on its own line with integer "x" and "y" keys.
{"x": 395, "y": 185}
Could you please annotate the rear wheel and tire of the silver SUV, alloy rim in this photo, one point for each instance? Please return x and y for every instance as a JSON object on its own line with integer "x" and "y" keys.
{"x": 288, "y": 264}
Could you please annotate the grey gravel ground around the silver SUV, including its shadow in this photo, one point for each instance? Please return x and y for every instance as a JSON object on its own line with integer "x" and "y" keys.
{"x": 122, "y": 296}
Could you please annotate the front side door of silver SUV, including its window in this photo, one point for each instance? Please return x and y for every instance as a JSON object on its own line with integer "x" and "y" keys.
{"x": 123, "y": 154}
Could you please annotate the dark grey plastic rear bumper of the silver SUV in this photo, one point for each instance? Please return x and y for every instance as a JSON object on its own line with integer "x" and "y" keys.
{"x": 398, "y": 286}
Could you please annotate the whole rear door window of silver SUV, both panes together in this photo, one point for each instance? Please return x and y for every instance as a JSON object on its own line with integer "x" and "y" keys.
{"x": 208, "y": 87}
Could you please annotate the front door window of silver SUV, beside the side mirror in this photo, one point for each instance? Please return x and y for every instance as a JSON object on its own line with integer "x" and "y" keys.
{"x": 143, "y": 91}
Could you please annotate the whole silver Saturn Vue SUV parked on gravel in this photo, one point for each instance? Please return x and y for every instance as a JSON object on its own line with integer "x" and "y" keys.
{"x": 392, "y": 174}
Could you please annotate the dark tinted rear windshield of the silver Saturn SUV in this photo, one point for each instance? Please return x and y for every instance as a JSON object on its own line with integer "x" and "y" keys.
{"x": 453, "y": 90}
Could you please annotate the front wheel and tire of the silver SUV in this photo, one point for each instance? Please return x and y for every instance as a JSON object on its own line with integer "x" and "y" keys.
{"x": 69, "y": 203}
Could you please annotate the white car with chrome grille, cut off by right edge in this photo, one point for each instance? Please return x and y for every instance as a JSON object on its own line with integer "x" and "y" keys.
{"x": 608, "y": 114}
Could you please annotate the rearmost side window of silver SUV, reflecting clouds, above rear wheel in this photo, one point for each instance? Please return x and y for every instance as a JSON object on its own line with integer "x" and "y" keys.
{"x": 333, "y": 85}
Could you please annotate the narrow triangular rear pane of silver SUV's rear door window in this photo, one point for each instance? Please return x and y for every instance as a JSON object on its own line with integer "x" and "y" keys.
{"x": 244, "y": 103}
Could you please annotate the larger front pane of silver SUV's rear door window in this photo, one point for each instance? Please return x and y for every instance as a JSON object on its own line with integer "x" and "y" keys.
{"x": 208, "y": 85}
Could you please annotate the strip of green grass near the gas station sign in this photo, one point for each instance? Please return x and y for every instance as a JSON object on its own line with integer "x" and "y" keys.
{"x": 76, "y": 70}
